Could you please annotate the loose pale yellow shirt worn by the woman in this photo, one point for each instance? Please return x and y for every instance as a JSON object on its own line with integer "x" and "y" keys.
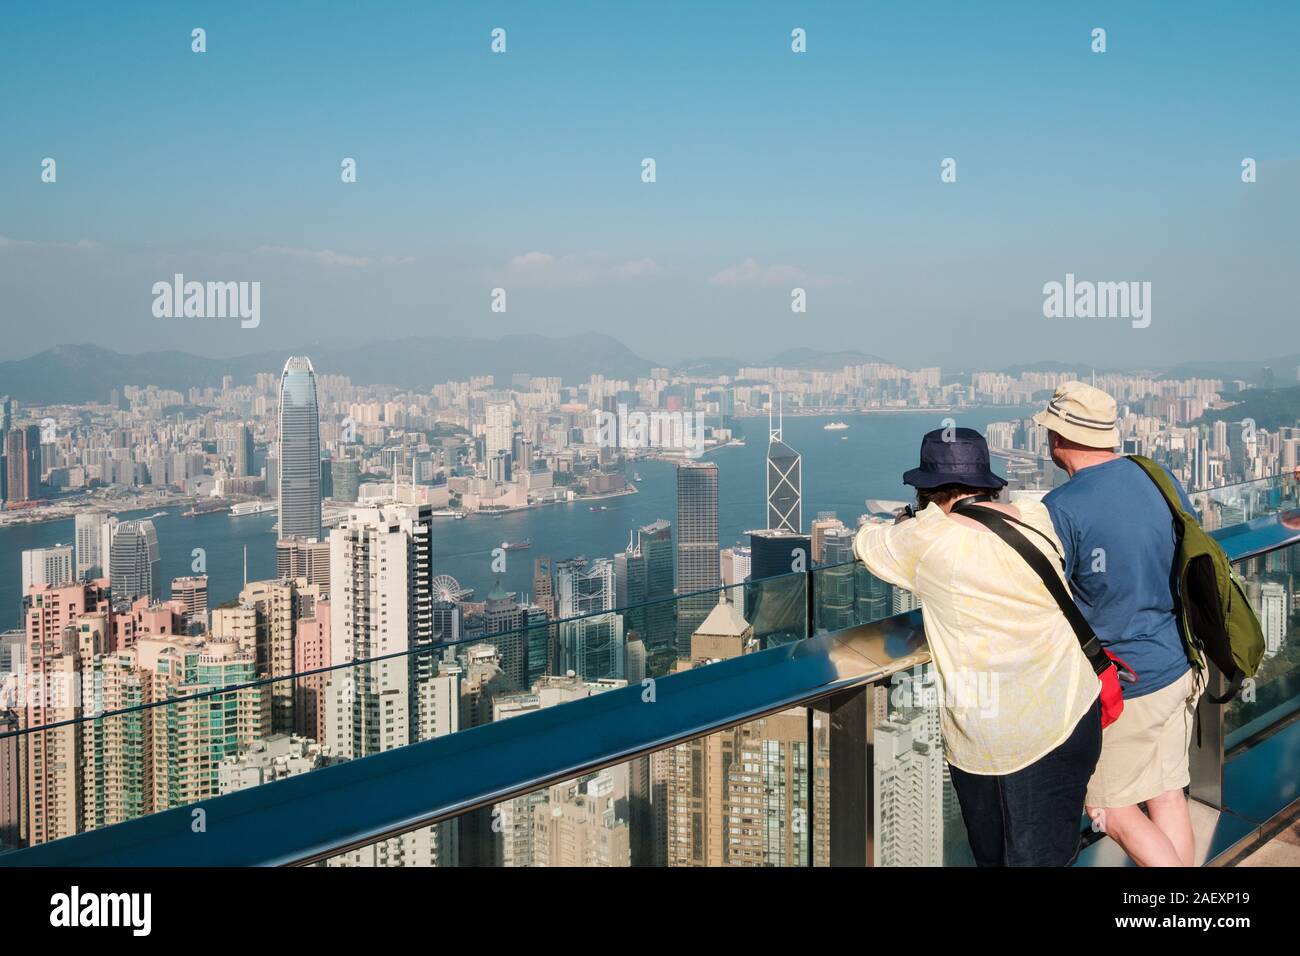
{"x": 1013, "y": 680}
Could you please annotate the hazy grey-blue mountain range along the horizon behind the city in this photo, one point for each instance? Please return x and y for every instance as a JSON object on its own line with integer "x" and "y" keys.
{"x": 89, "y": 373}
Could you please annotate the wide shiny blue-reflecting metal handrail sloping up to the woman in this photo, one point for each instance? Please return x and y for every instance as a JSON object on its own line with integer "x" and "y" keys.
{"x": 318, "y": 815}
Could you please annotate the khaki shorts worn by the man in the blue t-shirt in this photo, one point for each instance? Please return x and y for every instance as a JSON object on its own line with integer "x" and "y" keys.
{"x": 1145, "y": 752}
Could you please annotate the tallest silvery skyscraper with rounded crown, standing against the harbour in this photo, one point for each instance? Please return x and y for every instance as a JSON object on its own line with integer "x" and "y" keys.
{"x": 300, "y": 452}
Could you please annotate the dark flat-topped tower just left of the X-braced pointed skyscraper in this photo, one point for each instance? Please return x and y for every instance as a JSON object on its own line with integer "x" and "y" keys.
{"x": 697, "y": 547}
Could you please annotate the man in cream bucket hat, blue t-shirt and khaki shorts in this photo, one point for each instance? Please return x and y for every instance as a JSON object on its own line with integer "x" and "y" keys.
{"x": 1120, "y": 548}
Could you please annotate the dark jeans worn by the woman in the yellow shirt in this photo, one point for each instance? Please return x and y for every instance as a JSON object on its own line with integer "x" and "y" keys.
{"x": 1033, "y": 817}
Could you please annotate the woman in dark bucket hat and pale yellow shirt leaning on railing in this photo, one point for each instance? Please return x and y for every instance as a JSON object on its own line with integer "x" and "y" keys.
{"x": 1020, "y": 760}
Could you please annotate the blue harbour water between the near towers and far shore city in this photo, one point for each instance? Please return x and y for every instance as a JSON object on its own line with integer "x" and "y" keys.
{"x": 842, "y": 469}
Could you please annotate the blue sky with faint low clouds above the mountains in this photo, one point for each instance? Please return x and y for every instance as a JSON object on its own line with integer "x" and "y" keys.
{"x": 774, "y": 170}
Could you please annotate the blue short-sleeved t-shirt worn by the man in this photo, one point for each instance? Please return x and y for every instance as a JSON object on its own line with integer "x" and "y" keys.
{"x": 1120, "y": 542}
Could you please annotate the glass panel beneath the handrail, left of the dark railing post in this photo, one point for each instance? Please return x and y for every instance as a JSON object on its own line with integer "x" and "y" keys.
{"x": 738, "y": 798}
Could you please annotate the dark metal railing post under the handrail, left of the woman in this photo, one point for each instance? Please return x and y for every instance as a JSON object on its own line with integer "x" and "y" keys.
{"x": 851, "y": 819}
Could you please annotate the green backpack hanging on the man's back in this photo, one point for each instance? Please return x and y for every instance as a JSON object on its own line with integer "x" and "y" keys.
{"x": 1215, "y": 613}
